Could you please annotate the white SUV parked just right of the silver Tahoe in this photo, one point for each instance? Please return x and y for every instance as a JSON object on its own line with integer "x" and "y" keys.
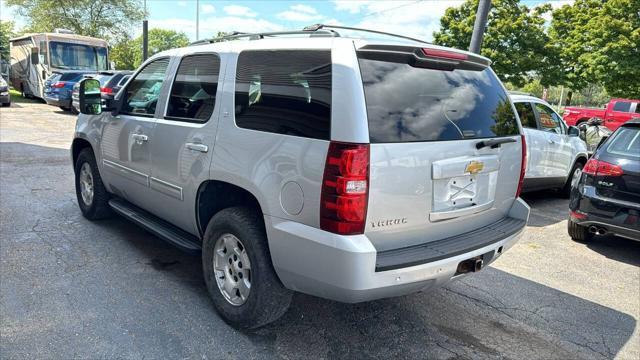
{"x": 555, "y": 152}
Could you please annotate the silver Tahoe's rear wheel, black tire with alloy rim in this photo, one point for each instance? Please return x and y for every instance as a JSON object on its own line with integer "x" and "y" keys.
{"x": 267, "y": 298}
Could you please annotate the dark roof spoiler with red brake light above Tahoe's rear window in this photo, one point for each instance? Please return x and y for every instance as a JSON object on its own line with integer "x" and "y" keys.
{"x": 428, "y": 57}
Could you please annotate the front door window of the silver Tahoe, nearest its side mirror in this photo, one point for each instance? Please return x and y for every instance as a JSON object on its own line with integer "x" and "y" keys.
{"x": 141, "y": 96}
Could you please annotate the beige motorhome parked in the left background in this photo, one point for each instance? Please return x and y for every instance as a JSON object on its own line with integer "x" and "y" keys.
{"x": 34, "y": 57}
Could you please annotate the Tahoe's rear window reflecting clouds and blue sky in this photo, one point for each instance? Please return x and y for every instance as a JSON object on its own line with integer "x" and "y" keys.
{"x": 406, "y": 103}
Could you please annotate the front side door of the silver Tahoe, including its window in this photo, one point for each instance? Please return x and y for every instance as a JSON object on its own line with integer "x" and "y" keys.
{"x": 127, "y": 137}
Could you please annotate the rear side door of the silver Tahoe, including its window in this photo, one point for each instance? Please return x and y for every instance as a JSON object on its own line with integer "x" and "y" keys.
{"x": 184, "y": 139}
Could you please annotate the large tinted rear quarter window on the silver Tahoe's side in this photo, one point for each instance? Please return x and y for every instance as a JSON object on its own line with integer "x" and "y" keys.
{"x": 284, "y": 92}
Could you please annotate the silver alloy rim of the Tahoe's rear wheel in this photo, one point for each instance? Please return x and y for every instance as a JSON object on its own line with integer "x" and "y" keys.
{"x": 232, "y": 269}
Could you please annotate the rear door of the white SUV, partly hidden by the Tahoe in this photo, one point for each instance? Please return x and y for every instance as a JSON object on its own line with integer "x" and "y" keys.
{"x": 537, "y": 152}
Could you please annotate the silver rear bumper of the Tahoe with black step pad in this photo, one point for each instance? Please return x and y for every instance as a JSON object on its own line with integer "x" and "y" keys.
{"x": 344, "y": 268}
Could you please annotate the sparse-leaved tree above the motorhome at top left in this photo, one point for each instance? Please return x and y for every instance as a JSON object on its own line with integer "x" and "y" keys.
{"x": 110, "y": 19}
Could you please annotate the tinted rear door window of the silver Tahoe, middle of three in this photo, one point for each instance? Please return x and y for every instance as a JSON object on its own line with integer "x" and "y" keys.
{"x": 193, "y": 94}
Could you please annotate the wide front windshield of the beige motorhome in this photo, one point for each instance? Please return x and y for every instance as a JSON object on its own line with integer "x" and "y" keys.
{"x": 78, "y": 56}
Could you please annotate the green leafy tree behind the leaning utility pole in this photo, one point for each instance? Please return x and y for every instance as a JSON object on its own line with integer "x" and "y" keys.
{"x": 514, "y": 40}
